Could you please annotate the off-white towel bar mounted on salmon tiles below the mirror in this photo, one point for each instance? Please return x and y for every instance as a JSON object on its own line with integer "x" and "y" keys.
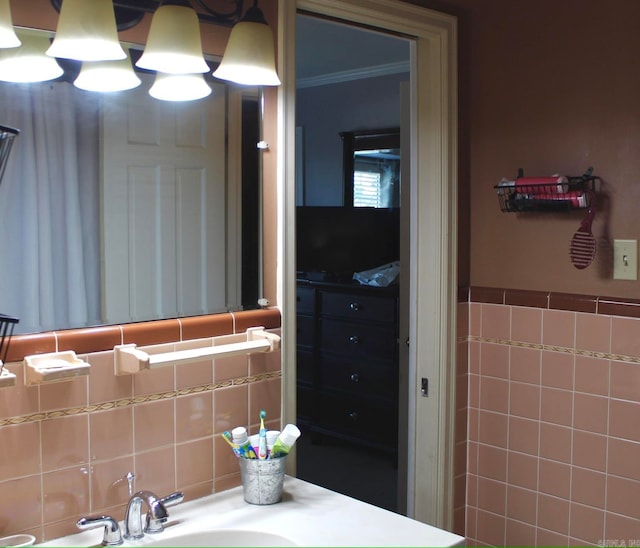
{"x": 129, "y": 359}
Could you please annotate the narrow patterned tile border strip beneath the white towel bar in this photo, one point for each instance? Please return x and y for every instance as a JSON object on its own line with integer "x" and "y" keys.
{"x": 138, "y": 399}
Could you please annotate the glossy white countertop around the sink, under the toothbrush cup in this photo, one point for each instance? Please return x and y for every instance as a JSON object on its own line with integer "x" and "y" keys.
{"x": 308, "y": 515}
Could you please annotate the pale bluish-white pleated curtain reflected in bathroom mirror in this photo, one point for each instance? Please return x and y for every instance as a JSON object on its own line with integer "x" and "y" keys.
{"x": 49, "y": 212}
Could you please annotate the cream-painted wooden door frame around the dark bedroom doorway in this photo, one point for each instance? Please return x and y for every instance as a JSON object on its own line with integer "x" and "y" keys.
{"x": 433, "y": 230}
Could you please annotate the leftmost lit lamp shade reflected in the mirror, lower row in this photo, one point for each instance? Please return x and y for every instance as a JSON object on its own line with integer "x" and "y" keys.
{"x": 28, "y": 63}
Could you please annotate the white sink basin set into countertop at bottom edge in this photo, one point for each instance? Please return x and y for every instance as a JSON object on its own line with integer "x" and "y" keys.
{"x": 224, "y": 537}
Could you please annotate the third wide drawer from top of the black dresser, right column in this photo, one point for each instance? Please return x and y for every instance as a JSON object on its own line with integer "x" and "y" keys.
{"x": 360, "y": 378}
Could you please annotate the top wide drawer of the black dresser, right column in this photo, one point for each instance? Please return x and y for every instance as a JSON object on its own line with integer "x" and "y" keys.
{"x": 358, "y": 307}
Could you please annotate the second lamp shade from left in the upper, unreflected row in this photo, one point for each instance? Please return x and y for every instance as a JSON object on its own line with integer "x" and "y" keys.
{"x": 87, "y": 32}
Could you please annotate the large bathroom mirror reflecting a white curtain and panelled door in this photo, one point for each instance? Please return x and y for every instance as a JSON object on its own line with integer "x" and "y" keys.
{"x": 118, "y": 207}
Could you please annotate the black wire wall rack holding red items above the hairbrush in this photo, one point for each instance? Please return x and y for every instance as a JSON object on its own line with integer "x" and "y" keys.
{"x": 547, "y": 194}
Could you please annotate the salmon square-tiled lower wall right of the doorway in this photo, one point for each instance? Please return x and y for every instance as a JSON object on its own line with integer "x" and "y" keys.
{"x": 553, "y": 427}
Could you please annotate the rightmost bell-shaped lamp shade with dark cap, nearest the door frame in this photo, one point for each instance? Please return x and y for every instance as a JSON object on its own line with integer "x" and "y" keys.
{"x": 249, "y": 57}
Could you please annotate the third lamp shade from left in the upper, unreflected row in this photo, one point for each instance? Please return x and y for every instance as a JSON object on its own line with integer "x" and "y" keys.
{"x": 174, "y": 45}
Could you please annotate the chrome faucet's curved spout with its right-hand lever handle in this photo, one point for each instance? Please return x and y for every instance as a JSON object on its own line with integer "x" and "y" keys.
{"x": 157, "y": 513}
